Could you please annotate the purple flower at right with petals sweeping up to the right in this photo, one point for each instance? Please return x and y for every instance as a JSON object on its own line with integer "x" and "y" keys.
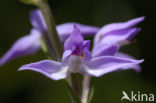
{"x": 120, "y": 33}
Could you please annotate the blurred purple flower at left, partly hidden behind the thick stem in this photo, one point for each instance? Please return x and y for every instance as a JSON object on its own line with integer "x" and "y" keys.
{"x": 30, "y": 44}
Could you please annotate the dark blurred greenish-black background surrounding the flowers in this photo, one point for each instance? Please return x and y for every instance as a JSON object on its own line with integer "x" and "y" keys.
{"x": 32, "y": 87}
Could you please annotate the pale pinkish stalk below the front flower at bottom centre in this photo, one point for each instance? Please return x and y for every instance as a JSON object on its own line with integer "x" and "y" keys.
{"x": 85, "y": 89}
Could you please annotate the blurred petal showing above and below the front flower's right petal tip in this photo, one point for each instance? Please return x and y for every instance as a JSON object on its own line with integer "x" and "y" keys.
{"x": 133, "y": 66}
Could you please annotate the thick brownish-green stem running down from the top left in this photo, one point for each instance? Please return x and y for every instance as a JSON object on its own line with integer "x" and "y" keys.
{"x": 55, "y": 44}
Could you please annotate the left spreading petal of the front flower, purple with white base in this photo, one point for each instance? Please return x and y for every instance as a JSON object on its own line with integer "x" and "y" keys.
{"x": 52, "y": 69}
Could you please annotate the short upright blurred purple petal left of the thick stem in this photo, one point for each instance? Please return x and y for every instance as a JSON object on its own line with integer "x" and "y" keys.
{"x": 37, "y": 20}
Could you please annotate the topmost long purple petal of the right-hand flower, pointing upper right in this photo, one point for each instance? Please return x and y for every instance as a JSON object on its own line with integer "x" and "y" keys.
{"x": 116, "y": 27}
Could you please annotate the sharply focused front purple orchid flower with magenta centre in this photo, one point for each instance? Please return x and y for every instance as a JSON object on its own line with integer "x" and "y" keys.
{"x": 78, "y": 59}
